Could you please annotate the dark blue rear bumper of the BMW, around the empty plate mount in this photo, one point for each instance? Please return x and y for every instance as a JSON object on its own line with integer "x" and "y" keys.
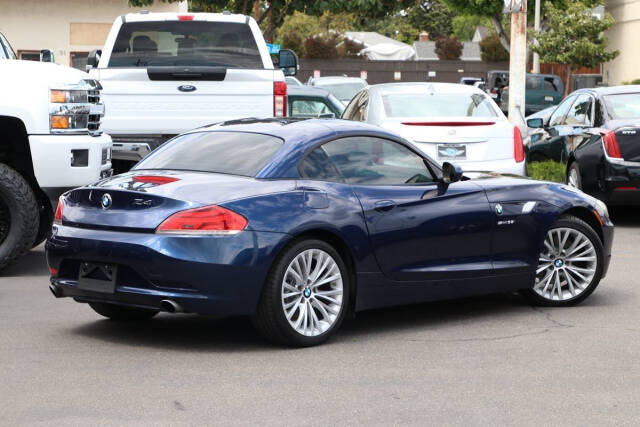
{"x": 207, "y": 275}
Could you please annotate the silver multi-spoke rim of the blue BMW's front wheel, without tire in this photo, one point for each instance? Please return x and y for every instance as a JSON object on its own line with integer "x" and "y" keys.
{"x": 566, "y": 265}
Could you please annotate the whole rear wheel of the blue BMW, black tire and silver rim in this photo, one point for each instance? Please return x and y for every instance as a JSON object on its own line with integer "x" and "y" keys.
{"x": 305, "y": 296}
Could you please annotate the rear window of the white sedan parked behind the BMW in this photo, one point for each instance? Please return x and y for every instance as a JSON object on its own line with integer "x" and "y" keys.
{"x": 437, "y": 105}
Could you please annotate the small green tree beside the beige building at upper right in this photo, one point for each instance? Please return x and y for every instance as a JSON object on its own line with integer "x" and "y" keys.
{"x": 575, "y": 38}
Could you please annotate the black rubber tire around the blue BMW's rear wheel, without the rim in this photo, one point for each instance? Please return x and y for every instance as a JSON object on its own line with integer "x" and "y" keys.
{"x": 270, "y": 320}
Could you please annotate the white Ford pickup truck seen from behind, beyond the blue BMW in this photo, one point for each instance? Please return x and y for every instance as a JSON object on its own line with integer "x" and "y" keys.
{"x": 166, "y": 73}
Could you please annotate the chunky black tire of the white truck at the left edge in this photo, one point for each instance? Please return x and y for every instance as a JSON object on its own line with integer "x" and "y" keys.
{"x": 19, "y": 216}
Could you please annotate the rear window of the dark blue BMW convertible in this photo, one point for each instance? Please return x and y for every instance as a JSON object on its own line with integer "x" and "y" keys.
{"x": 234, "y": 153}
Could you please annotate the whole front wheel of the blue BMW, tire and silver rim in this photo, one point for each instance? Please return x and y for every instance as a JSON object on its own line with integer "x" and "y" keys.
{"x": 569, "y": 266}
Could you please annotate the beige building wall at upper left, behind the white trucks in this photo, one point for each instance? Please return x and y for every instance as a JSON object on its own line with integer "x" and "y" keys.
{"x": 66, "y": 25}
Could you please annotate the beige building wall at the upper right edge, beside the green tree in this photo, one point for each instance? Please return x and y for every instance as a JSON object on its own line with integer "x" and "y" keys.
{"x": 624, "y": 36}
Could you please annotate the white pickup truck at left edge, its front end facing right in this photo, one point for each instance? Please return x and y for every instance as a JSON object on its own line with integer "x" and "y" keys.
{"x": 50, "y": 141}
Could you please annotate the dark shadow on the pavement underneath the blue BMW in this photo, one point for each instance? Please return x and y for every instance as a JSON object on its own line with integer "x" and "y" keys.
{"x": 196, "y": 333}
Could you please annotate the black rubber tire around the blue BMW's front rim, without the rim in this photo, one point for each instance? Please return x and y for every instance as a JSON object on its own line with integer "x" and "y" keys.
{"x": 570, "y": 221}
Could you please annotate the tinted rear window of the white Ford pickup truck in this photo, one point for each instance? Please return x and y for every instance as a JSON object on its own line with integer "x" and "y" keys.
{"x": 185, "y": 43}
